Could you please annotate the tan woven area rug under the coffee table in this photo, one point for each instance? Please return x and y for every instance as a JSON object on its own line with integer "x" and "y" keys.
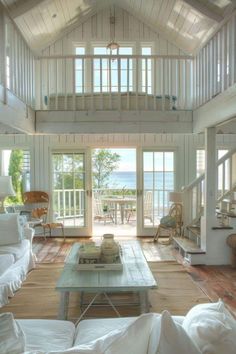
{"x": 38, "y": 299}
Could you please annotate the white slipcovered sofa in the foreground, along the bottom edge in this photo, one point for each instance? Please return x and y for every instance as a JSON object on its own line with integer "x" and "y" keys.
{"x": 206, "y": 328}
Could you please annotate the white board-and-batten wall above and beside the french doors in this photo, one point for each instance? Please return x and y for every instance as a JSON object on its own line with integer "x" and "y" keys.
{"x": 41, "y": 147}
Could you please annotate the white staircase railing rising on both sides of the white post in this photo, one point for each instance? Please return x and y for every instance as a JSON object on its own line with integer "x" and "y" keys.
{"x": 194, "y": 192}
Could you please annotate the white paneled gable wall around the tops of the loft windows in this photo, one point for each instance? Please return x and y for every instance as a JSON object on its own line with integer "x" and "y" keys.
{"x": 128, "y": 28}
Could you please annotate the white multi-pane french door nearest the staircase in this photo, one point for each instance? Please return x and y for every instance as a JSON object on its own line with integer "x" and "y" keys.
{"x": 157, "y": 180}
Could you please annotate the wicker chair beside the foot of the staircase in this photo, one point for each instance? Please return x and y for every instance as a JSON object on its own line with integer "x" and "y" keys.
{"x": 171, "y": 223}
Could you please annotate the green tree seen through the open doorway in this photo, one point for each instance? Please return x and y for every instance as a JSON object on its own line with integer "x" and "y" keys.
{"x": 104, "y": 163}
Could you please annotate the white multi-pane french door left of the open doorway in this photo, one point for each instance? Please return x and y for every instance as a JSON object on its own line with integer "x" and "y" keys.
{"x": 71, "y": 191}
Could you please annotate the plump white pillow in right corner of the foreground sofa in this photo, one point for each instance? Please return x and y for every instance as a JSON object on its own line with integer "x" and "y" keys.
{"x": 212, "y": 328}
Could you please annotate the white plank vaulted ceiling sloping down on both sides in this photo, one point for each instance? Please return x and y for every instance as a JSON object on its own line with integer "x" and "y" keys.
{"x": 187, "y": 23}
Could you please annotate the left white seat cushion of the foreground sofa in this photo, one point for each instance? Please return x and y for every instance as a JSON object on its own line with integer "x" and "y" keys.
{"x": 48, "y": 335}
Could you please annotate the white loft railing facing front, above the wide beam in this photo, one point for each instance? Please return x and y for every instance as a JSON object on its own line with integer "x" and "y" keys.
{"x": 114, "y": 82}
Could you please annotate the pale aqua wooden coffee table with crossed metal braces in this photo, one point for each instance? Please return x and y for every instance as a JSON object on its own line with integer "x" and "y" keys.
{"x": 135, "y": 277}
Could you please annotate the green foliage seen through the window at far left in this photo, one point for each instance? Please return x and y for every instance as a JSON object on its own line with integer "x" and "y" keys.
{"x": 15, "y": 171}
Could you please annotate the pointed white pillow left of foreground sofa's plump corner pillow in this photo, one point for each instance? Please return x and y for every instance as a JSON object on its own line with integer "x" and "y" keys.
{"x": 168, "y": 337}
